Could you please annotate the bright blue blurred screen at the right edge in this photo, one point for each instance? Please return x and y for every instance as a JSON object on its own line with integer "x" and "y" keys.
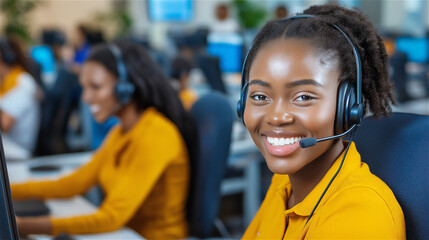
{"x": 417, "y": 49}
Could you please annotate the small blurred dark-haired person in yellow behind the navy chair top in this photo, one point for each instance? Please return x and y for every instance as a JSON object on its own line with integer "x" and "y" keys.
{"x": 180, "y": 69}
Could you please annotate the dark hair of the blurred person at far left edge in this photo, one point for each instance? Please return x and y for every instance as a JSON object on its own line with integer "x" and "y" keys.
{"x": 15, "y": 52}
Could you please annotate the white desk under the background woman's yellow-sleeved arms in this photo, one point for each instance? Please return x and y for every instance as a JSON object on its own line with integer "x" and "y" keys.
{"x": 19, "y": 172}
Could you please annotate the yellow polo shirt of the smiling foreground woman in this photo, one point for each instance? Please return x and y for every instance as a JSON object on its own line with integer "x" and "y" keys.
{"x": 357, "y": 205}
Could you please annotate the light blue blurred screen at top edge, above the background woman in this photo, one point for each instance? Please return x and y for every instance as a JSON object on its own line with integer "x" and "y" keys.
{"x": 170, "y": 10}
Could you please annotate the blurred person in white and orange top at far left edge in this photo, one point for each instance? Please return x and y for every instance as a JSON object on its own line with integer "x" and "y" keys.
{"x": 19, "y": 97}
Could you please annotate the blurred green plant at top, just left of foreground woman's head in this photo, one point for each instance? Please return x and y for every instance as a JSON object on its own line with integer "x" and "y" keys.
{"x": 249, "y": 13}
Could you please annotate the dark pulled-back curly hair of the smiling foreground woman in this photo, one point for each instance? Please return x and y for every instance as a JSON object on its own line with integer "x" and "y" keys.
{"x": 376, "y": 86}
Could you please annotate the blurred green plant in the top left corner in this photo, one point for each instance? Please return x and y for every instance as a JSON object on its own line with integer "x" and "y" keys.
{"x": 16, "y": 17}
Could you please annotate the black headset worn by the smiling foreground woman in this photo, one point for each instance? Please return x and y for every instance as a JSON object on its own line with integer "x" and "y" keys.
{"x": 349, "y": 100}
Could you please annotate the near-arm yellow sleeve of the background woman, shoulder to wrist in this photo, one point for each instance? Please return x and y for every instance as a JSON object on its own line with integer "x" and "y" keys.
{"x": 142, "y": 170}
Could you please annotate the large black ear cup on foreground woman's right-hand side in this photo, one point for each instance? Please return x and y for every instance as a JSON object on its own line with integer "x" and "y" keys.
{"x": 345, "y": 101}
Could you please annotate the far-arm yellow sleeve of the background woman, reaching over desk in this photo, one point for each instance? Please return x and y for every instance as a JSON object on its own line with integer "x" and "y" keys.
{"x": 70, "y": 185}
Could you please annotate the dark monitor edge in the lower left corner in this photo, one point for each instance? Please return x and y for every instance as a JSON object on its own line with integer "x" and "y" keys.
{"x": 8, "y": 228}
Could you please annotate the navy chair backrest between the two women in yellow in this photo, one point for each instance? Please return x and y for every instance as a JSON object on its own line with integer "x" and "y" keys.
{"x": 214, "y": 117}
